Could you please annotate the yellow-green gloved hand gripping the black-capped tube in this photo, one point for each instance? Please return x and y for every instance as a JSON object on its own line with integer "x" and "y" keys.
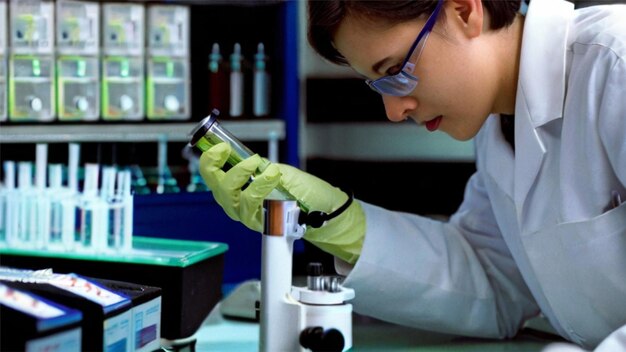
{"x": 341, "y": 236}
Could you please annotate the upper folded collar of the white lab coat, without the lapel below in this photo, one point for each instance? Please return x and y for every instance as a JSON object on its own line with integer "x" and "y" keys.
{"x": 541, "y": 88}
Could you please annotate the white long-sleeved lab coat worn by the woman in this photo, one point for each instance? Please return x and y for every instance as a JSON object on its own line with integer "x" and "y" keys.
{"x": 536, "y": 232}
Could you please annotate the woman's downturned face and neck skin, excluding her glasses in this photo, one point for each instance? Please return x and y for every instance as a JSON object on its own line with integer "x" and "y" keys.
{"x": 458, "y": 75}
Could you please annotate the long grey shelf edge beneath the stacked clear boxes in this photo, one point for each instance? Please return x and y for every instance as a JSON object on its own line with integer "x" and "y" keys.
{"x": 246, "y": 130}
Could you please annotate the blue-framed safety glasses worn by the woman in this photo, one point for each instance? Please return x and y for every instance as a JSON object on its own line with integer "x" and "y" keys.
{"x": 404, "y": 82}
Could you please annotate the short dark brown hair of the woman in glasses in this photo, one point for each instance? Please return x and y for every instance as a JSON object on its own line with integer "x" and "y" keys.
{"x": 326, "y": 15}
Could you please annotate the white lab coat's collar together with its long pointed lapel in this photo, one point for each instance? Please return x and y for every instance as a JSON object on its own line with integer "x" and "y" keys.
{"x": 541, "y": 88}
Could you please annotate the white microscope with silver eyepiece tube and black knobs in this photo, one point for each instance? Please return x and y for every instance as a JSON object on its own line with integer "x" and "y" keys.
{"x": 311, "y": 318}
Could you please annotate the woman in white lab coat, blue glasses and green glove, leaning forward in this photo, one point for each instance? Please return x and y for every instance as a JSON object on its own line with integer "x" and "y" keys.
{"x": 542, "y": 228}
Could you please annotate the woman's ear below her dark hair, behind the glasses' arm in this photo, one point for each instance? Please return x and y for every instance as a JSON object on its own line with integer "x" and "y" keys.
{"x": 465, "y": 15}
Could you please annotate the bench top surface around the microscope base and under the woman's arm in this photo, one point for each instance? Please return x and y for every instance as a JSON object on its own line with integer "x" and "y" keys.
{"x": 220, "y": 334}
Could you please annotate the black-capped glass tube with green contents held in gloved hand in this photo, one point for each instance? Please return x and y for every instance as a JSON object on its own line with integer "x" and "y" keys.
{"x": 210, "y": 132}
